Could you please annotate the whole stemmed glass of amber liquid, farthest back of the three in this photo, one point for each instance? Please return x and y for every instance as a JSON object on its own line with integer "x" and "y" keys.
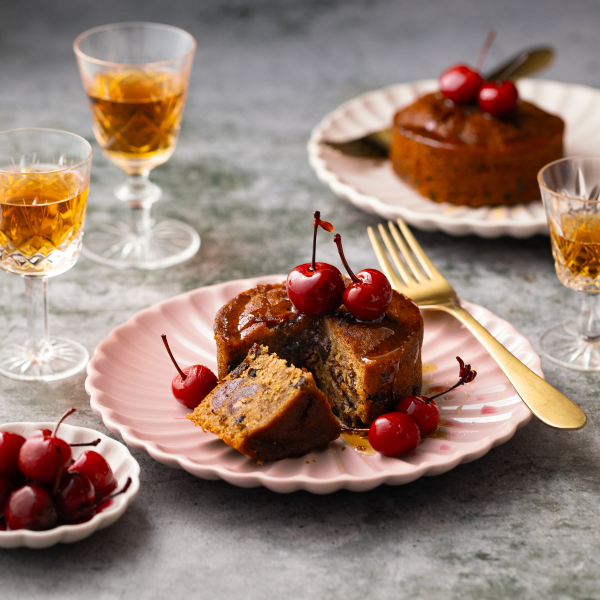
{"x": 136, "y": 77}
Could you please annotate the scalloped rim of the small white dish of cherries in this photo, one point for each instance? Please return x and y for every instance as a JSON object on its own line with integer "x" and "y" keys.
{"x": 70, "y": 533}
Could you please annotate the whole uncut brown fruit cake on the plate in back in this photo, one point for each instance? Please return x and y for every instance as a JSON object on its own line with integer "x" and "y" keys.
{"x": 460, "y": 154}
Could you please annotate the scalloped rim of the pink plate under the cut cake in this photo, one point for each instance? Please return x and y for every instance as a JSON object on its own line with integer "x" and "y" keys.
{"x": 298, "y": 482}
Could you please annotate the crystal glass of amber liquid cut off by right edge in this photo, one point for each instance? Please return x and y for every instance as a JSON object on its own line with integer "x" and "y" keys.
{"x": 570, "y": 190}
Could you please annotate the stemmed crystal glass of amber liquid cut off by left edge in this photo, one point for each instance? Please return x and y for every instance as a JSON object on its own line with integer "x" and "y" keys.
{"x": 44, "y": 180}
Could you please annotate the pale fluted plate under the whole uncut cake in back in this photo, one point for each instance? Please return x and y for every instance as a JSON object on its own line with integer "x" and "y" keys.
{"x": 374, "y": 187}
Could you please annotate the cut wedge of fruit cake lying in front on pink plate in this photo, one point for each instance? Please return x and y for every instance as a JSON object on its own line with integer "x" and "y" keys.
{"x": 268, "y": 410}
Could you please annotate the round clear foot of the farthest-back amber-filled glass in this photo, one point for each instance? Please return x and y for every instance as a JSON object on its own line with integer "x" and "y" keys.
{"x": 166, "y": 243}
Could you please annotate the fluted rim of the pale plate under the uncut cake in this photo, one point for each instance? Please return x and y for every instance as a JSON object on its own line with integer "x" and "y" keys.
{"x": 462, "y": 225}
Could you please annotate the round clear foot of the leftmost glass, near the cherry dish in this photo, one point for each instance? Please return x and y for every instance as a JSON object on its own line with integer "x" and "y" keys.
{"x": 58, "y": 358}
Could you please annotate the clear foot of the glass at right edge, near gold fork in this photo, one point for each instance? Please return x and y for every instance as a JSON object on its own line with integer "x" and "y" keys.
{"x": 564, "y": 346}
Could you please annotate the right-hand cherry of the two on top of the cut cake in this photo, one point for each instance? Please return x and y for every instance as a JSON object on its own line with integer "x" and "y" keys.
{"x": 370, "y": 293}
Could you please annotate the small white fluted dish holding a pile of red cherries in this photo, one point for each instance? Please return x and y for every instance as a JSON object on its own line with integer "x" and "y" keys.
{"x": 123, "y": 466}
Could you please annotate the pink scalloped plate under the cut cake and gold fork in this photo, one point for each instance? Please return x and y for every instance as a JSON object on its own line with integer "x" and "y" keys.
{"x": 129, "y": 383}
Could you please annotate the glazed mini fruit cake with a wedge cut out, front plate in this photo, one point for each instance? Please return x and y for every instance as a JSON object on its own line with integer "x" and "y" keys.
{"x": 363, "y": 368}
